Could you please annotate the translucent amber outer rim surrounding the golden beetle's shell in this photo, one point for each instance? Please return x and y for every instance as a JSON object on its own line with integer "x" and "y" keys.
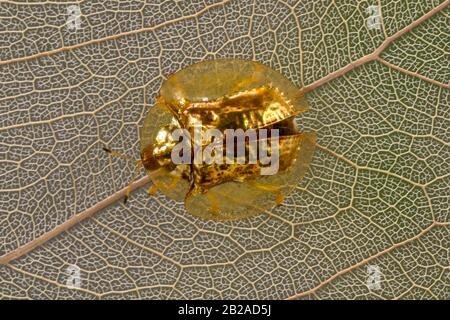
{"x": 211, "y": 81}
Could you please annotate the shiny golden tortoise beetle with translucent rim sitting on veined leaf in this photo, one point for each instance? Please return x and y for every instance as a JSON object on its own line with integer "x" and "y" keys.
{"x": 221, "y": 94}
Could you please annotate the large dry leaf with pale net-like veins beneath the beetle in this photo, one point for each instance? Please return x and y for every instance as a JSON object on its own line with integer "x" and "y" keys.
{"x": 376, "y": 193}
